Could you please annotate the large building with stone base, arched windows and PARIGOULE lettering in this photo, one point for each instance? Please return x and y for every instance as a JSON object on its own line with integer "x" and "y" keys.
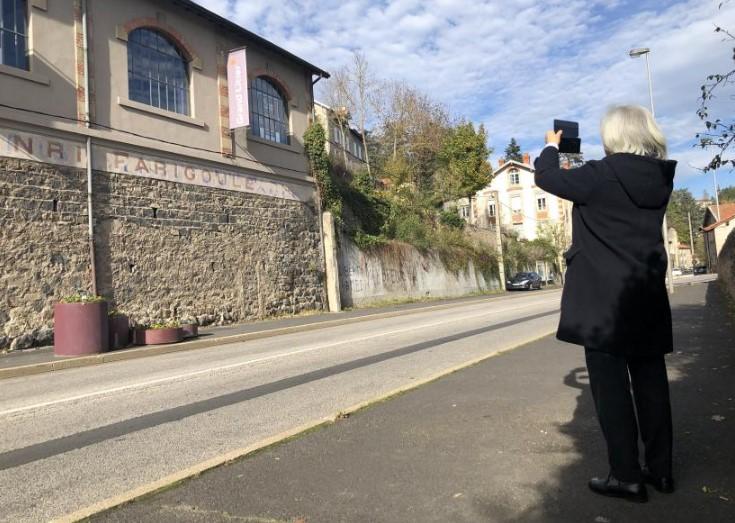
{"x": 183, "y": 218}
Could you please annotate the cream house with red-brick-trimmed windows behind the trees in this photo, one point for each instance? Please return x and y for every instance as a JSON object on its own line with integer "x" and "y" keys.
{"x": 513, "y": 196}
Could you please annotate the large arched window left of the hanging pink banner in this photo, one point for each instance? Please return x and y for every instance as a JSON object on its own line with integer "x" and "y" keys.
{"x": 157, "y": 71}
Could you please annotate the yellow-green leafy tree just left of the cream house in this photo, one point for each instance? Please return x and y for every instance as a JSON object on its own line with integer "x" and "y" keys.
{"x": 464, "y": 157}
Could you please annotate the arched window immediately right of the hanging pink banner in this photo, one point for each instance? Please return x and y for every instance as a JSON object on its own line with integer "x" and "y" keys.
{"x": 268, "y": 113}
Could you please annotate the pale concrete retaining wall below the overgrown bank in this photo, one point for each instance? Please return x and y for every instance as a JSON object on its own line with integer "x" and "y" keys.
{"x": 399, "y": 271}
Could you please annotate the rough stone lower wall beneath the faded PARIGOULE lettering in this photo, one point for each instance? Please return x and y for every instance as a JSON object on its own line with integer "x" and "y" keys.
{"x": 164, "y": 250}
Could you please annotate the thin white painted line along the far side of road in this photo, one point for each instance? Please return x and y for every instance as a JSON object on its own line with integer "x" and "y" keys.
{"x": 213, "y": 370}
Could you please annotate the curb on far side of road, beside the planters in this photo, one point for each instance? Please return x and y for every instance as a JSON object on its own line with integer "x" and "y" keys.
{"x": 155, "y": 350}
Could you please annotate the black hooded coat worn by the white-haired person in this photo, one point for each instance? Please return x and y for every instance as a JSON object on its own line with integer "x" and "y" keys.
{"x": 615, "y": 296}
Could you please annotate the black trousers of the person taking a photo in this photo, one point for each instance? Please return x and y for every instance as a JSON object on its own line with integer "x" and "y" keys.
{"x": 611, "y": 379}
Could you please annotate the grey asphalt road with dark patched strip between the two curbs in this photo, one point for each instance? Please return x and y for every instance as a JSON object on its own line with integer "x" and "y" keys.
{"x": 76, "y": 437}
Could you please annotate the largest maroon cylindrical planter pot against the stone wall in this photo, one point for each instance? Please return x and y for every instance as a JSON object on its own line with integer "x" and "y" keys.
{"x": 80, "y": 328}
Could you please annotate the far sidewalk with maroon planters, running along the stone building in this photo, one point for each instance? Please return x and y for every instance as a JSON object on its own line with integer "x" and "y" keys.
{"x": 36, "y": 361}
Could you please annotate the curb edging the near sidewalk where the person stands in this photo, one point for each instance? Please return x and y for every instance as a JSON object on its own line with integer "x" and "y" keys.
{"x": 195, "y": 470}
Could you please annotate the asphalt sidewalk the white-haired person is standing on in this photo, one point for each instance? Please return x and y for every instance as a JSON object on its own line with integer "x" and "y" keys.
{"x": 512, "y": 439}
